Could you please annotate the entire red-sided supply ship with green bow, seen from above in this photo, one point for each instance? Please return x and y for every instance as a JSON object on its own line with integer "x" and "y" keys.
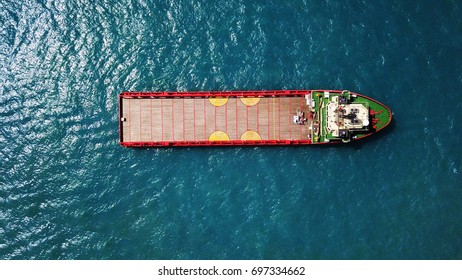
{"x": 265, "y": 117}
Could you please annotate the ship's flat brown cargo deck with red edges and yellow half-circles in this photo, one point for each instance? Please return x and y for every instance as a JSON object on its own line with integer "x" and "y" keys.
{"x": 165, "y": 119}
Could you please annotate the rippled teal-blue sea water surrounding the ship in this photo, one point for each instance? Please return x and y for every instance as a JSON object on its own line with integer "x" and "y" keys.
{"x": 69, "y": 191}
